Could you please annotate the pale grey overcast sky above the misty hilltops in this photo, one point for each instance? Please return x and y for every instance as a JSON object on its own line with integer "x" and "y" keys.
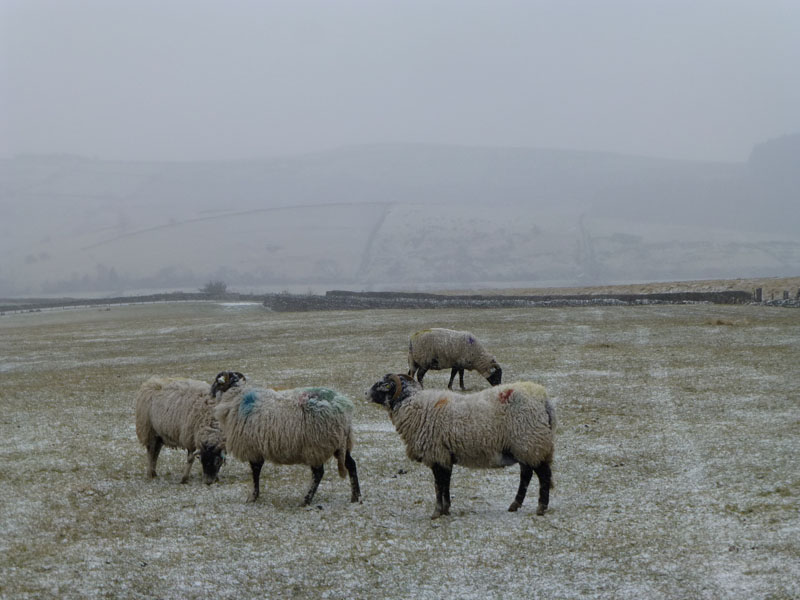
{"x": 189, "y": 79}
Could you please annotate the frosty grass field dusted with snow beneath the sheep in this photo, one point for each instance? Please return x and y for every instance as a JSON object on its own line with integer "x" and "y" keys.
{"x": 677, "y": 466}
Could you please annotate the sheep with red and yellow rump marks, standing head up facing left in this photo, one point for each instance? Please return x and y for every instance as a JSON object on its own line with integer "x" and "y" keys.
{"x": 496, "y": 427}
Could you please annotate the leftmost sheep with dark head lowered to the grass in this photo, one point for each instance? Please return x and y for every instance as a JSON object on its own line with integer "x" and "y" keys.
{"x": 177, "y": 413}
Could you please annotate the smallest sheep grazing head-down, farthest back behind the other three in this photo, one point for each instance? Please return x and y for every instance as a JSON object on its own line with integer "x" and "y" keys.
{"x": 439, "y": 348}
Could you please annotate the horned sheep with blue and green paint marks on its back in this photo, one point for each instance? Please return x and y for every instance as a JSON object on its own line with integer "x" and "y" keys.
{"x": 297, "y": 426}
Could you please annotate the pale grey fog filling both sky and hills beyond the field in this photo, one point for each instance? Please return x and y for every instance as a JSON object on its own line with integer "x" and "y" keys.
{"x": 536, "y": 141}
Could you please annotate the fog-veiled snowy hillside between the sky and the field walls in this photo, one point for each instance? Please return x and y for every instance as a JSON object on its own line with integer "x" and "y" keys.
{"x": 391, "y": 216}
